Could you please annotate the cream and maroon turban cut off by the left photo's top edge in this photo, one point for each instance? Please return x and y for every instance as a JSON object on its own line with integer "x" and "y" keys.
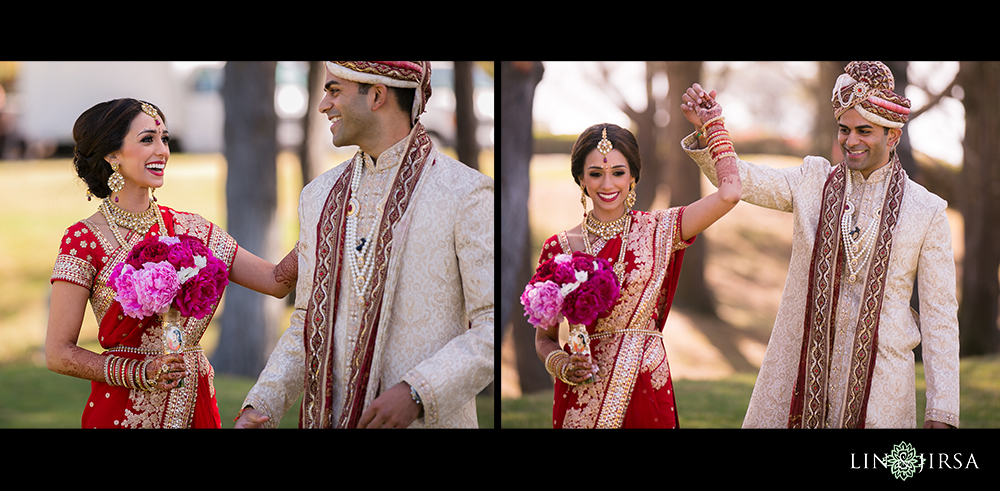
{"x": 402, "y": 74}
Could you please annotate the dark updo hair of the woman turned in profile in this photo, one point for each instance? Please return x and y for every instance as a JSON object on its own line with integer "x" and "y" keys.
{"x": 99, "y": 132}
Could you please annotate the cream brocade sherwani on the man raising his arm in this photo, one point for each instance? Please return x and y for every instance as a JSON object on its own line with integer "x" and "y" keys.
{"x": 921, "y": 250}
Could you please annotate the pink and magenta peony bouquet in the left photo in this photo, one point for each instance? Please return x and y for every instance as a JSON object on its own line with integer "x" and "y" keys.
{"x": 163, "y": 272}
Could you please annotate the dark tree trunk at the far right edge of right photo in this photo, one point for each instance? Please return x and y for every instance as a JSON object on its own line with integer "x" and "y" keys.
{"x": 981, "y": 193}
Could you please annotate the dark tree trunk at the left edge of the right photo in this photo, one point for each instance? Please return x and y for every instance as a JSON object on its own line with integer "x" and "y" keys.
{"x": 517, "y": 92}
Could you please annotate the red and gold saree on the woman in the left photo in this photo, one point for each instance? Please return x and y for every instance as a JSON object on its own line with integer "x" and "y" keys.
{"x": 87, "y": 259}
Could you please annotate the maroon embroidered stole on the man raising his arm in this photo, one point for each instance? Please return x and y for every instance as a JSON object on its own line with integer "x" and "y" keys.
{"x": 810, "y": 399}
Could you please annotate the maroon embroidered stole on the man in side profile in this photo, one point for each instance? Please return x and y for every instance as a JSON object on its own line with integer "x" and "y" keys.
{"x": 321, "y": 314}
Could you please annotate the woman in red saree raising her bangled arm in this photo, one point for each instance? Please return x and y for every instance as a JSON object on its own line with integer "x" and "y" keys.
{"x": 631, "y": 387}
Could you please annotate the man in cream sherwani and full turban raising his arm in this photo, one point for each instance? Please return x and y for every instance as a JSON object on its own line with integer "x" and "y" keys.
{"x": 841, "y": 350}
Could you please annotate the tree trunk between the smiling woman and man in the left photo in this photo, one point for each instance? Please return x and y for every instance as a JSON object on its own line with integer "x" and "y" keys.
{"x": 249, "y": 320}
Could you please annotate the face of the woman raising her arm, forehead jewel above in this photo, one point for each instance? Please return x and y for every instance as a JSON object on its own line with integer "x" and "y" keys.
{"x": 607, "y": 183}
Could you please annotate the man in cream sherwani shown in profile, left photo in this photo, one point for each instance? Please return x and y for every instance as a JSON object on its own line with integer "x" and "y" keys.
{"x": 393, "y": 322}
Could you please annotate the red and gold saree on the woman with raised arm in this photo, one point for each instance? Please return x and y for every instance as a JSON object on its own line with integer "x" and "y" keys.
{"x": 633, "y": 387}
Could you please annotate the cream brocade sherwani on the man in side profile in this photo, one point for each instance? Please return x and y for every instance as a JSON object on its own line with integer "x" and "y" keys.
{"x": 440, "y": 336}
